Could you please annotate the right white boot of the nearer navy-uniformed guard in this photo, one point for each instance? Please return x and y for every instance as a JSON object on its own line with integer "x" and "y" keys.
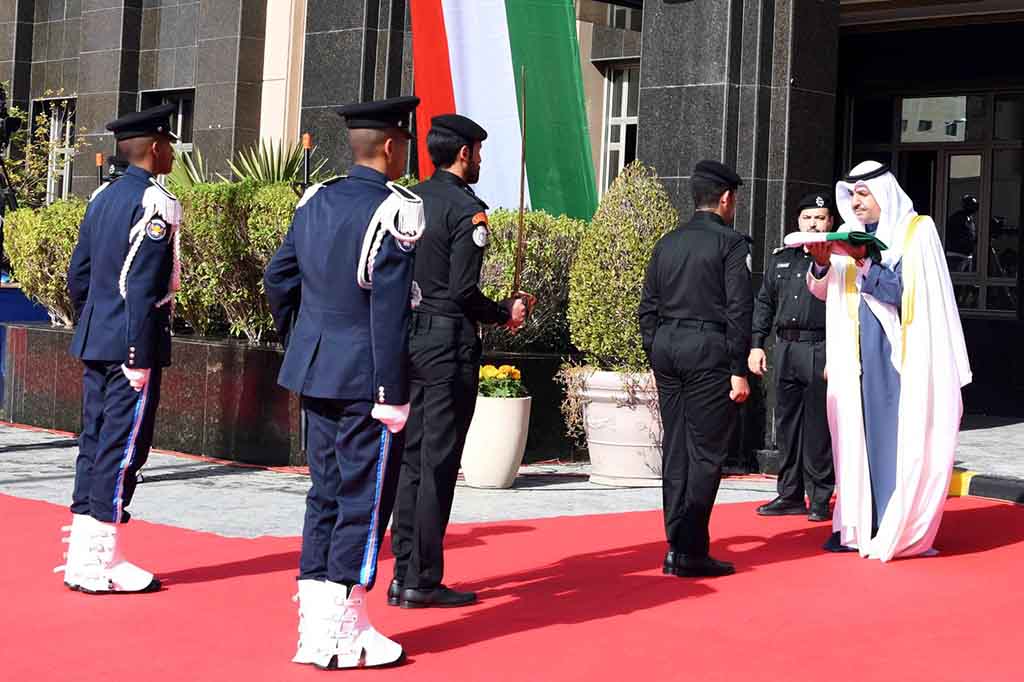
{"x": 360, "y": 646}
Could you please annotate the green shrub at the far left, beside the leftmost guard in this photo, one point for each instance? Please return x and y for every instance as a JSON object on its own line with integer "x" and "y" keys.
{"x": 39, "y": 244}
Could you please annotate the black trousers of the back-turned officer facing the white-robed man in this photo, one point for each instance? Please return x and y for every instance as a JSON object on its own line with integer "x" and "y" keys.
{"x": 692, "y": 370}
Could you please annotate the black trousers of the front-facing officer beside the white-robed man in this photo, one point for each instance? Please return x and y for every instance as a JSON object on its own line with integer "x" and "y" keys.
{"x": 802, "y": 423}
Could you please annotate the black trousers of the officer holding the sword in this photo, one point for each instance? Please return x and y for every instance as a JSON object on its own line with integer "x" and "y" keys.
{"x": 445, "y": 365}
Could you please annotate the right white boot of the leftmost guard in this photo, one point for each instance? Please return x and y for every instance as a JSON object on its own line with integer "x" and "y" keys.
{"x": 105, "y": 569}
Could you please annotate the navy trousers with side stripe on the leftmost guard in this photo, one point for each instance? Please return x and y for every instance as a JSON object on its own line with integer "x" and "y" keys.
{"x": 117, "y": 435}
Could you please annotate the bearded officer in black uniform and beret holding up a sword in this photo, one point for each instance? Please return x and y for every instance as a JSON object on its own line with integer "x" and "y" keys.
{"x": 445, "y": 355}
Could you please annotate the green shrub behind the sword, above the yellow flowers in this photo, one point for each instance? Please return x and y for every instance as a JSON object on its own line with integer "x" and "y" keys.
{"x": 551, "y": 248}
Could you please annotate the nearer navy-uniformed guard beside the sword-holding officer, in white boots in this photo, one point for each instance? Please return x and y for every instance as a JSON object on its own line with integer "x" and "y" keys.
{"x": 339, "y": 290}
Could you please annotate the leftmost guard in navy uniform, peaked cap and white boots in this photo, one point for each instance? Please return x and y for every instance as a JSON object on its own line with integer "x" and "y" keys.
{"x": 123, "y": 276}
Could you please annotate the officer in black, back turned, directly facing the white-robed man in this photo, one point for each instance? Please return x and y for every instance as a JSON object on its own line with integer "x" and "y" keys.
{"x": 696, "y": 324}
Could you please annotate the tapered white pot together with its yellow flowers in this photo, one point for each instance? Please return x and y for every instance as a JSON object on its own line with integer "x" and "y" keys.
{"x": 502, "y": 408}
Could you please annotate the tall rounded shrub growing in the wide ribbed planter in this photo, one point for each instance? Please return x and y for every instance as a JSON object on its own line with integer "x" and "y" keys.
{"x": 608, "y": 277}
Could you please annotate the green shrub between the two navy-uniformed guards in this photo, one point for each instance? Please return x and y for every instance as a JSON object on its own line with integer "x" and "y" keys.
{"x": 231, "y": 232}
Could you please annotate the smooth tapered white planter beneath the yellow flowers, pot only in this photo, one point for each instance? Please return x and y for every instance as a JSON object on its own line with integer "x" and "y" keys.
{"x": 496, "y": 442}
